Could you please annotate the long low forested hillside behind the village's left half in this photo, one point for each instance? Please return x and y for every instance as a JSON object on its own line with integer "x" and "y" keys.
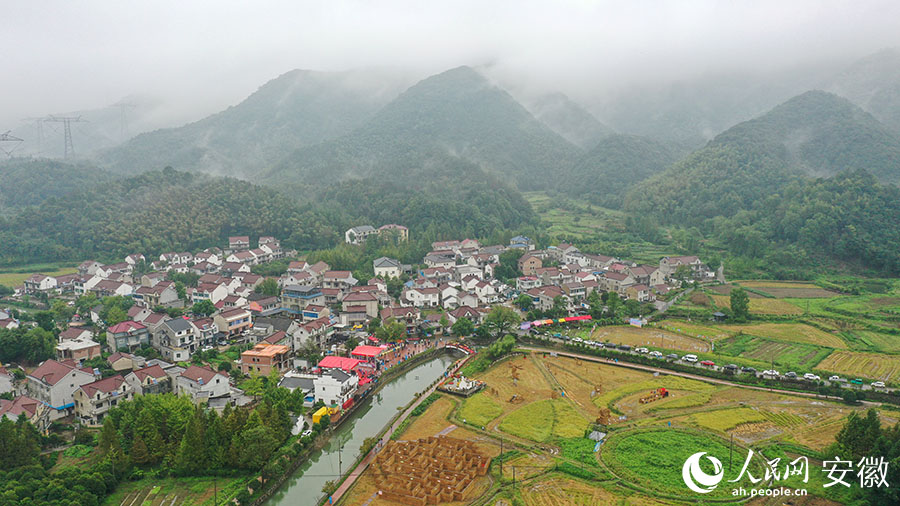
{"x": 156, "y": 212}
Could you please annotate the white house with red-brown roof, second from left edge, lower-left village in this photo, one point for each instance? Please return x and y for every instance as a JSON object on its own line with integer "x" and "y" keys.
{"x": 54, "y": 383}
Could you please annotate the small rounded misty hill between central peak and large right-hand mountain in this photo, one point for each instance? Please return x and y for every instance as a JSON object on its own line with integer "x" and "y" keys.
{"x": 618, "y": 162}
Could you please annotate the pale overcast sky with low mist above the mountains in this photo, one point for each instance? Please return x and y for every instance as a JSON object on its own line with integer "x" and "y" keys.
{"x": 201, "y": 56}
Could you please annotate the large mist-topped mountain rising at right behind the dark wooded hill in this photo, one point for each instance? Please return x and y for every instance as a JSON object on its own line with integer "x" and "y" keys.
{"x": 815, "y": 134}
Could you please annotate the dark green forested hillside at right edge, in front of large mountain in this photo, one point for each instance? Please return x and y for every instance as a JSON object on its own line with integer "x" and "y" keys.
{"x": 850, "y": 217}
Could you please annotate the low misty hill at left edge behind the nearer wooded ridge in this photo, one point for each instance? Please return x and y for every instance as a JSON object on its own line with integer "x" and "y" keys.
{"x": 29, "y": 182}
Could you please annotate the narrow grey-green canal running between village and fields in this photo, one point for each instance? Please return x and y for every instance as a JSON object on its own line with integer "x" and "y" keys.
{"x": 304, "y": 488}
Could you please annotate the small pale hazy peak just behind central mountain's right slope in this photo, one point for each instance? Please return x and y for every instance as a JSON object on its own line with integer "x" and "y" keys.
{"x": 570, "y": 120}
